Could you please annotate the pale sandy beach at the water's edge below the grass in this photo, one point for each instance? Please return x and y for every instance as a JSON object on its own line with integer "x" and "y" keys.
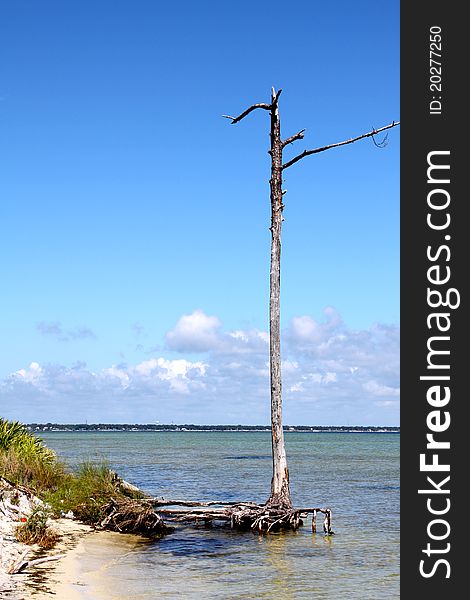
{"x": 83, "y": 563}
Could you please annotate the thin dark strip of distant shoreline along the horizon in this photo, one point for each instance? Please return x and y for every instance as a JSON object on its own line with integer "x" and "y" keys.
{"x": 152, "y": 427}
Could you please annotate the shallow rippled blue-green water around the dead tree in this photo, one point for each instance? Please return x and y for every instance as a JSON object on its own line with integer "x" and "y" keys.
{"x": 357, "y": 475}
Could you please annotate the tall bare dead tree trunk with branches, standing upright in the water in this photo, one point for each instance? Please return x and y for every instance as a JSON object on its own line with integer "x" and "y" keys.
{"x": 280, "y": 494}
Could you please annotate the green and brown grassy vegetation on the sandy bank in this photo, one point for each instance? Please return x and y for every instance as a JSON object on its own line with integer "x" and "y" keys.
{"x": 25, "y": 461}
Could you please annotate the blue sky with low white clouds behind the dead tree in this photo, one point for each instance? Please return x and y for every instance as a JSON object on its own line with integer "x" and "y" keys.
{"x": 134, "y": 218}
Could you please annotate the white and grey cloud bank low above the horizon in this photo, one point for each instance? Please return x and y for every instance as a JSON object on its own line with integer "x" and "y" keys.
{"x": 332, "y": 375}
